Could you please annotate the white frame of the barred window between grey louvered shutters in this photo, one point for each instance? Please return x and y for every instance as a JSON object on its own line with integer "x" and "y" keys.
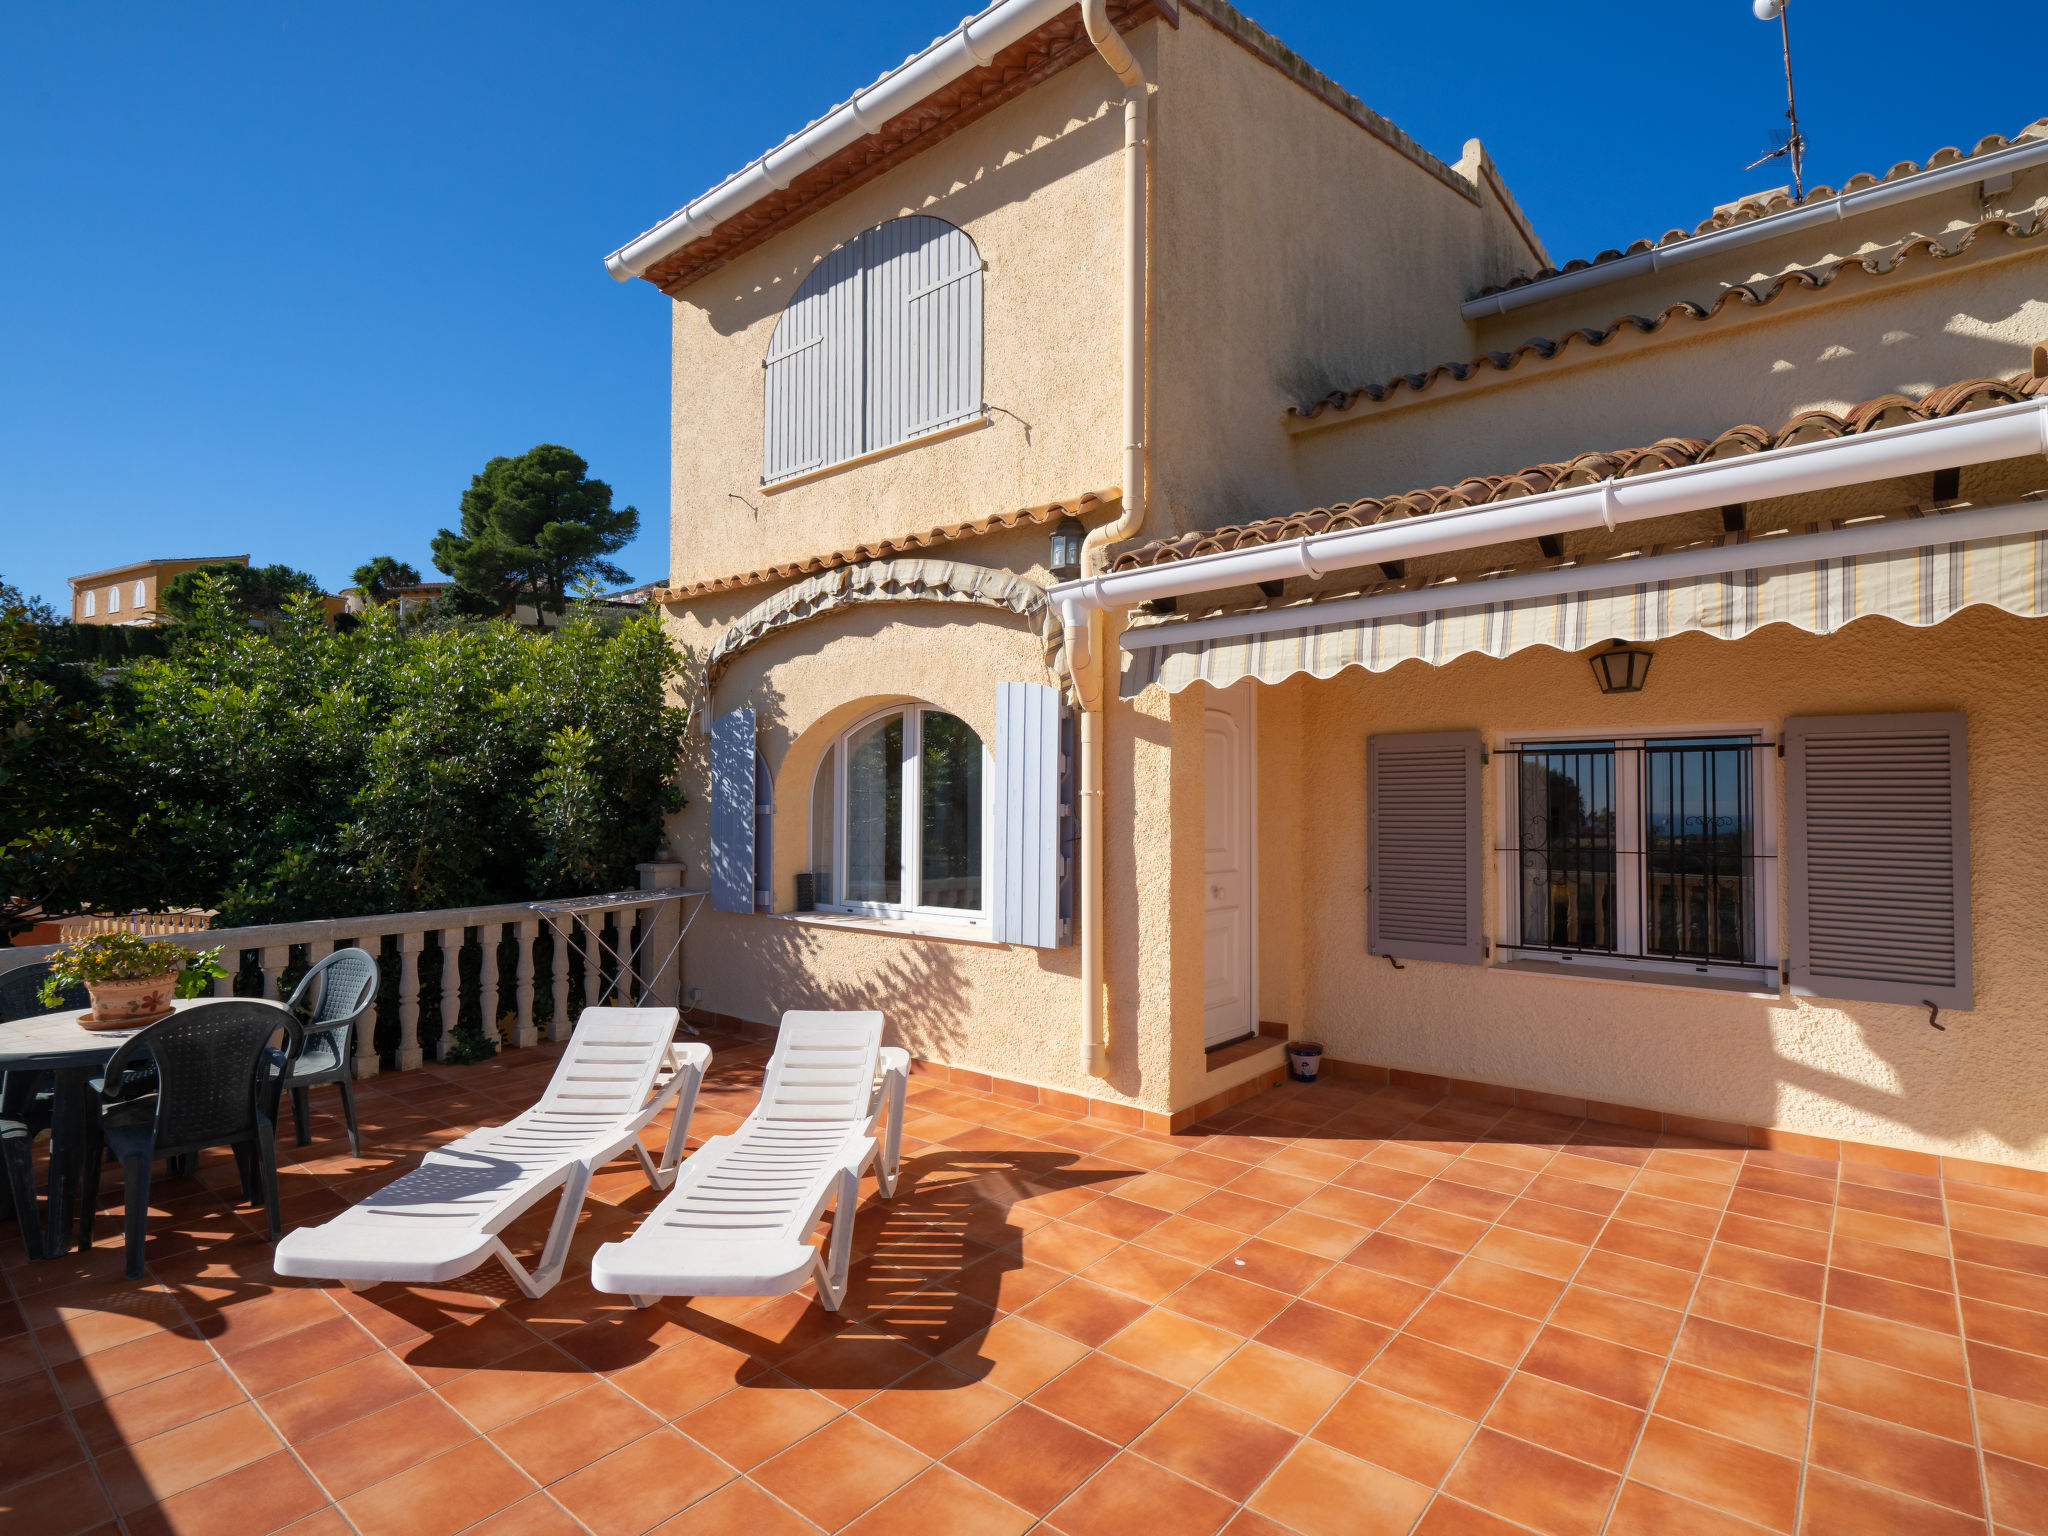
{"x": 1766, "y": 964}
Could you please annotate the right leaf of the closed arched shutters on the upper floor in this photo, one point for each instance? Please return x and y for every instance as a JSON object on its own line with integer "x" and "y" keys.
{"x": 925, "y": 329}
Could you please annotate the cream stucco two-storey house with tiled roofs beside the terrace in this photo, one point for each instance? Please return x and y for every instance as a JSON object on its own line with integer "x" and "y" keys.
{"x": 1615, "y": 687}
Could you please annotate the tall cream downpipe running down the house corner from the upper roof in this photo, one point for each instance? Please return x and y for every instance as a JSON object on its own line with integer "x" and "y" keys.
{"x": 1084, "y": 632}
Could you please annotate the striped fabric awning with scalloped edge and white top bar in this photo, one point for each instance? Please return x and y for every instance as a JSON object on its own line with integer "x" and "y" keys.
{"x": 1918, "y": 568}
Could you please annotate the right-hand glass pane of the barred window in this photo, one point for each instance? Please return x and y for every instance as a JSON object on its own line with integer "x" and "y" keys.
{"x": 1697, "y": 810}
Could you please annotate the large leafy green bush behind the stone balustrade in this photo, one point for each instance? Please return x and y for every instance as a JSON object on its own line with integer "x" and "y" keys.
{"x": 298, "y": 773}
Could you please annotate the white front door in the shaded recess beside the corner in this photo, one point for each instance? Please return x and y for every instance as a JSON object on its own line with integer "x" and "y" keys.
{"x": 1228, "y": 867}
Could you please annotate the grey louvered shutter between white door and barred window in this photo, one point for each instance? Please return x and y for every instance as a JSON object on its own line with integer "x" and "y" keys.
{"x": 1422, "y": 847}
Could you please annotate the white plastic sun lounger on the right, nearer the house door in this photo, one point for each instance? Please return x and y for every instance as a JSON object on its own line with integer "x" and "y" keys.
{"x": 740, "y": 1220}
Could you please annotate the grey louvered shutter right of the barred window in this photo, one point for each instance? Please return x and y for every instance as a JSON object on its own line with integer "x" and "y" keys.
{"x": 1879, "y": 859}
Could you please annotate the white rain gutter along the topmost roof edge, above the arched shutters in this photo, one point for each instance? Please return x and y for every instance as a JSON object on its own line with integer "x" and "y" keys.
{"x": 970, "y": 46}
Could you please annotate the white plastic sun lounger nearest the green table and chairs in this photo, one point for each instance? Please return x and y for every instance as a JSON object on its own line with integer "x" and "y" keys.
{"x": 445, "y": 1218}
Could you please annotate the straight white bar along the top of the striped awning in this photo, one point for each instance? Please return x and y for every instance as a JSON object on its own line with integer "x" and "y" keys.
{"x": 1877, "y": 538}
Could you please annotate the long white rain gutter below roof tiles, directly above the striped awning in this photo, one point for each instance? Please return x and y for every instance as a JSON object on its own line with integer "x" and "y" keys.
{"x": 1916, "y": 450}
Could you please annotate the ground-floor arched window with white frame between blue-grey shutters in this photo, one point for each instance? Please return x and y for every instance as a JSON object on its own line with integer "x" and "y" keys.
{"x": 898, "y": 816}
